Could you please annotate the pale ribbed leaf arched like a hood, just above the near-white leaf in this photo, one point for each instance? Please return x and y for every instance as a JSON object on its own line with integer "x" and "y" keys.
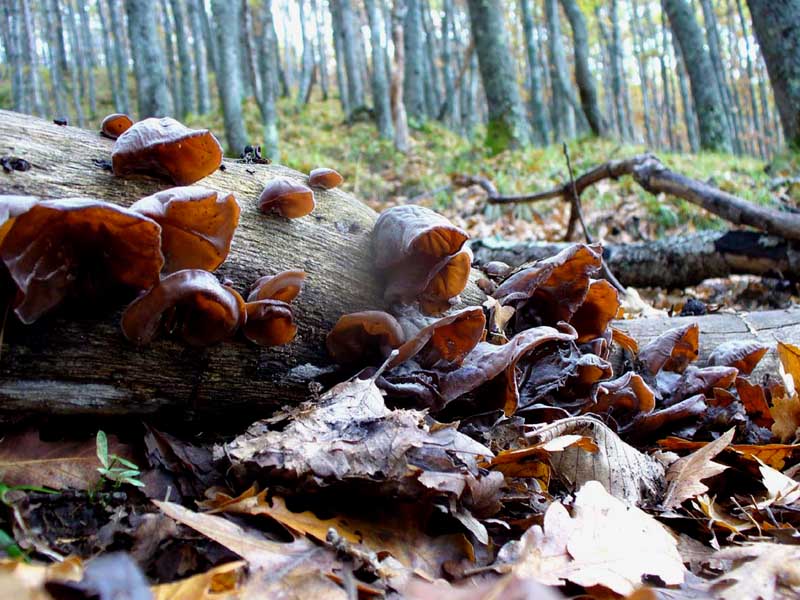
{"x": 633, "y": 477}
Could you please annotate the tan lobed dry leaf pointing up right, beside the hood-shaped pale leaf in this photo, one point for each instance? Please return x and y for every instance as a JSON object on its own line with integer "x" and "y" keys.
{"x": 685, "y": 475}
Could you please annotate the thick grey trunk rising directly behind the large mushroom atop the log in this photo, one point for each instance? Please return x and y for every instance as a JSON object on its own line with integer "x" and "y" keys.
{"x": 148, "y": 62}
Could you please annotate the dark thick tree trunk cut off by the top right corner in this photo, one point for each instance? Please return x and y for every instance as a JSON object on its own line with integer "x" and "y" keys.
{"x": 777, "y": 27}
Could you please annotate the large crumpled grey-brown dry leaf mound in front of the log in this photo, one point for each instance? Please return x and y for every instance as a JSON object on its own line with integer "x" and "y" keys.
{"x": 324, "y": 444}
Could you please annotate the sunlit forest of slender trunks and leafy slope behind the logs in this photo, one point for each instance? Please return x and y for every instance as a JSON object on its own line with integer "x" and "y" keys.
{"x": 401, "y": 96}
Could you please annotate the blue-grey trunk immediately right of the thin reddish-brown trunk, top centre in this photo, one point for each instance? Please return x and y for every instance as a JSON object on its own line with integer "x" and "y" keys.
{"x": 414, "y": 62}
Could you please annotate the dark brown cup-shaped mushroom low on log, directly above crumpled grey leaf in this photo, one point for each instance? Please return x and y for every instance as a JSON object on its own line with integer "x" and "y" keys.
{"x": 366, "y": 337}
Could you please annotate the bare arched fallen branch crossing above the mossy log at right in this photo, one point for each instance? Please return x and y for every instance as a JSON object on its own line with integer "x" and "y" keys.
{"x": 651, "y": 174}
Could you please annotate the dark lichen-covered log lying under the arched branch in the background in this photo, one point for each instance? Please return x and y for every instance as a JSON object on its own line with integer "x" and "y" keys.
{"x": 673, "y": 262}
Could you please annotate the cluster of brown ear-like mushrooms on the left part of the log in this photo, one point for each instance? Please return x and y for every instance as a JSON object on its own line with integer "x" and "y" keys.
{"x": 165, "y": 247}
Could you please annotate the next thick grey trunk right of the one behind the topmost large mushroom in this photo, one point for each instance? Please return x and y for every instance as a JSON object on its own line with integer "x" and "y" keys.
{"x": 229, "y": 76}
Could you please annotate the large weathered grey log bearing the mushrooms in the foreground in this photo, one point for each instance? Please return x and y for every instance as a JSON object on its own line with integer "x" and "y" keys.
{"x": 68, "y": 364}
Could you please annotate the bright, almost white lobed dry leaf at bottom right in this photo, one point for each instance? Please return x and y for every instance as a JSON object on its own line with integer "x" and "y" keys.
{"x": 604, "y": 542}
